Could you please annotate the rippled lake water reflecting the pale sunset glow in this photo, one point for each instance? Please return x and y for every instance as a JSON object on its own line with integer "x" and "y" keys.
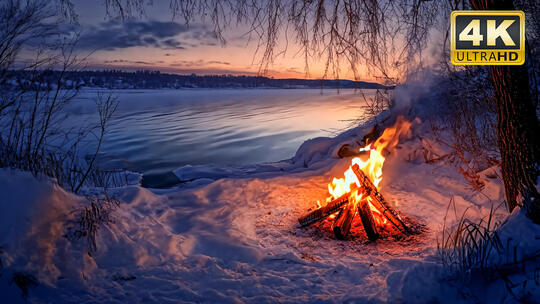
{"x": 158, "y": 131}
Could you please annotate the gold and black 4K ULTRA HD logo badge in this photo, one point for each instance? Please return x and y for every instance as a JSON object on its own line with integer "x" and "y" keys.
{"x": 487, "y": 37}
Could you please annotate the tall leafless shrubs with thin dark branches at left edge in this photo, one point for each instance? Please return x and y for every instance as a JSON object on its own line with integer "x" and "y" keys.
{"x": 35, "y": 58}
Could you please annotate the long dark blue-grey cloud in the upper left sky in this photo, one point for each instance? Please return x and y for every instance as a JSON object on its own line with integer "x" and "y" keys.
{"x": 113, "y": 35}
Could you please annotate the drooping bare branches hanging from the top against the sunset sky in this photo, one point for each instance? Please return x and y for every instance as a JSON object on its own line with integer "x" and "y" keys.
{"x": 385, "y": 38}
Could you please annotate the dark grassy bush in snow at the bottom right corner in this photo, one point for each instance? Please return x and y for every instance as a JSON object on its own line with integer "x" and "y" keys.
{"x": 489, "y": 253}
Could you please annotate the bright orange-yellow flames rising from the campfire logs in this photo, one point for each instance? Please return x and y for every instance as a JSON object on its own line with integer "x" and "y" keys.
{"x": 372, "y": 167}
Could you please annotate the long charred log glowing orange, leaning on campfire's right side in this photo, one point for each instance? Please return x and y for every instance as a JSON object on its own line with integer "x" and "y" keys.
{"x": 378, "y": 200}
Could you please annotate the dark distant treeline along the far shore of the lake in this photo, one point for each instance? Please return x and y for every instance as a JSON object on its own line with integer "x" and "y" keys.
{"x": 115, "y": 79}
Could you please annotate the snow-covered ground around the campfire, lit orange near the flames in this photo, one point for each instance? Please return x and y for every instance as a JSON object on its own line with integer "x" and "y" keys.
{"x": 235, "y": 239}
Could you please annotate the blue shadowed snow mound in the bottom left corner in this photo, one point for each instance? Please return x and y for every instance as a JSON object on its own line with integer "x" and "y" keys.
{"x": 31, "y": 229}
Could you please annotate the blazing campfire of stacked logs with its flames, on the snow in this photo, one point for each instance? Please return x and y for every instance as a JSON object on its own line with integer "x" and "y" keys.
{"x": 358, "y": 191}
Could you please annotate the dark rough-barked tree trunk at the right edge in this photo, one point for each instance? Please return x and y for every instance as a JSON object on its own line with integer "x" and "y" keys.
{"x": 517, "y": 127}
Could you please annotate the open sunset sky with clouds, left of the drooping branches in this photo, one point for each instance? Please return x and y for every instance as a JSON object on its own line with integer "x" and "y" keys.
{"x": 156, "y": 42}
